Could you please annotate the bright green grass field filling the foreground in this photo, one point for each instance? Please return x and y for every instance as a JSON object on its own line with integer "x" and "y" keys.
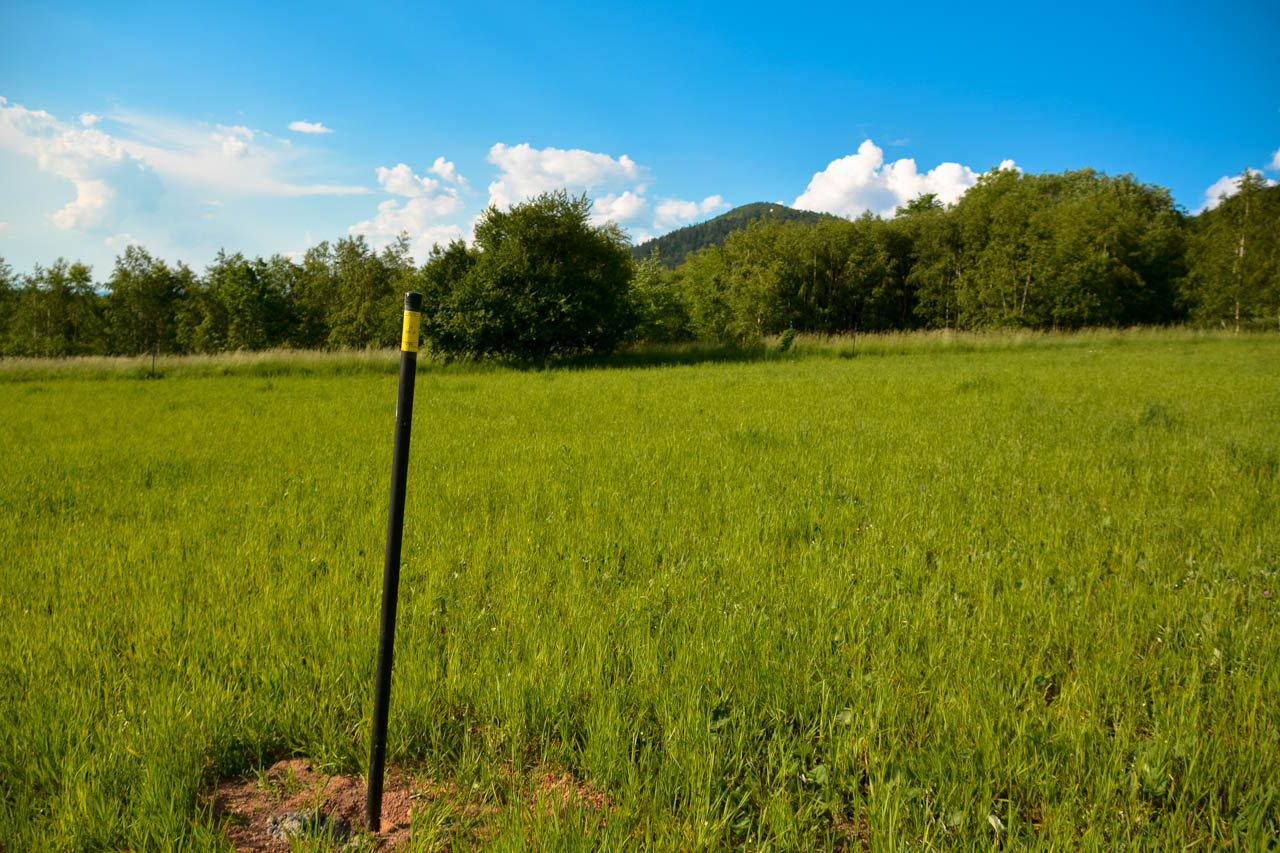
{"x": 1018, "y": 594}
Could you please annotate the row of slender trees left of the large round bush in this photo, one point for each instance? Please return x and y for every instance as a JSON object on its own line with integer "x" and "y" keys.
{"x": 337, "y": 295}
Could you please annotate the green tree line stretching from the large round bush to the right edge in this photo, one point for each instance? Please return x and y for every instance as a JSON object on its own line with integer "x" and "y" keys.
{"x": 1043, "y": 252}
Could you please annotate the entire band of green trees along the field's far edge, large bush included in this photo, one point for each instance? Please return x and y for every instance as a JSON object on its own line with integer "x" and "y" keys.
{"x": 1078, "y": 249}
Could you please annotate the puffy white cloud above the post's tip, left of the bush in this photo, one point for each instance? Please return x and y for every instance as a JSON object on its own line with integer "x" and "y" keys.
{"x": 422, "y": 206}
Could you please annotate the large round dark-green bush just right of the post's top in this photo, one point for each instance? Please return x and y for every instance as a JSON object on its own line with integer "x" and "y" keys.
{"x": 541, "y": 282}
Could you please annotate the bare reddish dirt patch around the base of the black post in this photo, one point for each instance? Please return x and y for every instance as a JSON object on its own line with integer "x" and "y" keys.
{"x": 246, "y": 806}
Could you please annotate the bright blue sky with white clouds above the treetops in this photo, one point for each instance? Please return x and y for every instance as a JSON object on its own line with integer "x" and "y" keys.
{"x": 196, "y": 127}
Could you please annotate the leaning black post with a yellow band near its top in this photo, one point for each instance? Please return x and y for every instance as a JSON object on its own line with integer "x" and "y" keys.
{"x": 391, "y": 565}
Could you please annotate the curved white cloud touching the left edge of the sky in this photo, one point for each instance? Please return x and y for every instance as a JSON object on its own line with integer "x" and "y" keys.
{"x": 109, "y": 183}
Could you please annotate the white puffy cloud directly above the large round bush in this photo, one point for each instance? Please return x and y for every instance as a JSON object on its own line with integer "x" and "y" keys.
{"x": 528, "y": 172}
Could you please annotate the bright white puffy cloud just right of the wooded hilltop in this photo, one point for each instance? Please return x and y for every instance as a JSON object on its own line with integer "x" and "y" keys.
{"x": 860, "y": 183}
